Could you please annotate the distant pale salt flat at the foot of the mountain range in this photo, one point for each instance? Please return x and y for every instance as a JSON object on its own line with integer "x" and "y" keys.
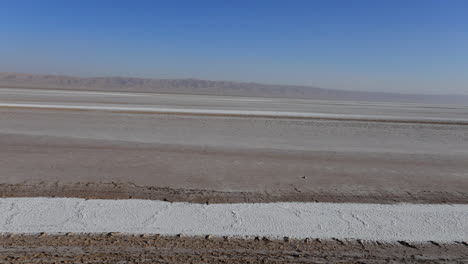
{"x": 145, "y": 100}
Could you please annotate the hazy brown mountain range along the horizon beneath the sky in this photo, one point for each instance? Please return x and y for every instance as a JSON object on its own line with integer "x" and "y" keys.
{"x": 206, "y": 87}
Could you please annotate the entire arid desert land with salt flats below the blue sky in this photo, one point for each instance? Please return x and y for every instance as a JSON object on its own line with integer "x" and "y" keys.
{"x": 324, "y": 166}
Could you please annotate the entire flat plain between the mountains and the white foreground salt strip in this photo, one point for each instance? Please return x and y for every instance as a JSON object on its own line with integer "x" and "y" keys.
{"x": 200, "y": 158}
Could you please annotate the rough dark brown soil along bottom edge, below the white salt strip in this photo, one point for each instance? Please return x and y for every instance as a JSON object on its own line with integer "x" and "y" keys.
{"x": 116, "y": 248}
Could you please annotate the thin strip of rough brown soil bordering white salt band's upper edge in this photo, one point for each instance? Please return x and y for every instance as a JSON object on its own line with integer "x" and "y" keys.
{"x": 131, "y": 191}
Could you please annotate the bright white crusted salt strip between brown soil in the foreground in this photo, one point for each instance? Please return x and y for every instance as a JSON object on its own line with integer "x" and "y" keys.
{"x": 405, "y": 222}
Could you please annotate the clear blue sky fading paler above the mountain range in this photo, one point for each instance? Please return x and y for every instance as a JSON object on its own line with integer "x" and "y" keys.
{"x": 396, "y": 46}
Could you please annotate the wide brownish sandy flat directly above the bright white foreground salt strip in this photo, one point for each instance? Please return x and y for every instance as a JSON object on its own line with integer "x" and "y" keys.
{"x": 51, "y": 166}
